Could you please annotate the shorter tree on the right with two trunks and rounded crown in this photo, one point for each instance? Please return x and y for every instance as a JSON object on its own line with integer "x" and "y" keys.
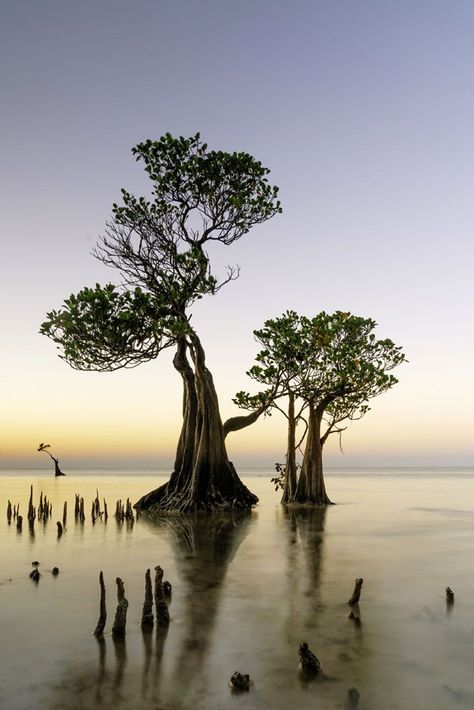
{"x": 328, "y": 368}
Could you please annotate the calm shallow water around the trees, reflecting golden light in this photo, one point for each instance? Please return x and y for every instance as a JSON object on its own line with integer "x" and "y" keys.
{"x": 247, "y": 590}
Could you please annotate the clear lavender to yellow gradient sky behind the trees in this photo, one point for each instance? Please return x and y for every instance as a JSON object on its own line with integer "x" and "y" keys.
{"x": 363, "y": 111}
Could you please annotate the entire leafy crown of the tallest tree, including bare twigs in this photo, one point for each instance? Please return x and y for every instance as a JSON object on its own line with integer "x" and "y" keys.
{"x": 157, "y": 245}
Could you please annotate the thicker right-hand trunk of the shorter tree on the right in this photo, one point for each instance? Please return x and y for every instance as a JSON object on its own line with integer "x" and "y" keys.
{"x": 311, "y": 488}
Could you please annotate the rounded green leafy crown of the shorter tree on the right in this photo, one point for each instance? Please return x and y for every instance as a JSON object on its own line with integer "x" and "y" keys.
{"x": 332, "y": 361}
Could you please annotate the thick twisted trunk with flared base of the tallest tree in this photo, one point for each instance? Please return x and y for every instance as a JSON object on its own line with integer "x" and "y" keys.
{"x": 203, "y": 477}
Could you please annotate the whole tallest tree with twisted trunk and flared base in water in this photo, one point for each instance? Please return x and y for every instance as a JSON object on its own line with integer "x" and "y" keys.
{"x": 158, "y": 246}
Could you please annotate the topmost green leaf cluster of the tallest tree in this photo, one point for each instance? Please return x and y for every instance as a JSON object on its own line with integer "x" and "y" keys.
{"x": 228, "y": 192}
